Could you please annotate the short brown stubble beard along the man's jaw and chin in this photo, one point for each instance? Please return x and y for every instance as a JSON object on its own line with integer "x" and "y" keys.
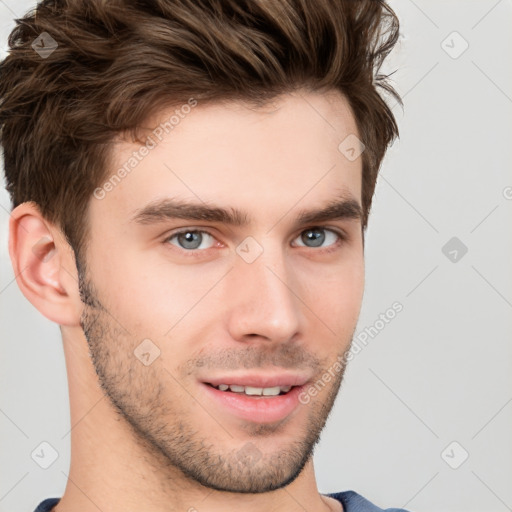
{"x": 140, "y": 396}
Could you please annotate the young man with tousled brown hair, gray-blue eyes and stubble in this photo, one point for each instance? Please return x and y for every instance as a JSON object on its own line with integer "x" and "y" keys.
{"x": 191, "y": 184}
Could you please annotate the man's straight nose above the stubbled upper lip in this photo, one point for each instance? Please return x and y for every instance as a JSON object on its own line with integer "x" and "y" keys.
{"x": 262, "y": 300}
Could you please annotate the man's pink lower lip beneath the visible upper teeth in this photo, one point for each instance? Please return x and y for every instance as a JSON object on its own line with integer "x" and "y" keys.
{"x": 258, "y": 409}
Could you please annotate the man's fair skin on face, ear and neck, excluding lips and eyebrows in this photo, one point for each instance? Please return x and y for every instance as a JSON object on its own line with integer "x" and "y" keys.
{"x": 148, "y": 437}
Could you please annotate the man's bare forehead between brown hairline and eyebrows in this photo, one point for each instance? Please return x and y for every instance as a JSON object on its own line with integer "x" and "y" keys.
{"x": 231, "y": 153}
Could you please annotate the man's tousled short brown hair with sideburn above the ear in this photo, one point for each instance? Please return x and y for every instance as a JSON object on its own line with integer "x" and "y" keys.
{"x": 119, "y": 61}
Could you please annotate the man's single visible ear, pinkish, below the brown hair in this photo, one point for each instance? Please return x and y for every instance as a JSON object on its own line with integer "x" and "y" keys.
{"x": 44, "y": 265}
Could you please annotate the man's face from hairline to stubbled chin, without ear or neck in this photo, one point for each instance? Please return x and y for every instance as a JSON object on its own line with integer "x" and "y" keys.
{"x": 265, "y": 304}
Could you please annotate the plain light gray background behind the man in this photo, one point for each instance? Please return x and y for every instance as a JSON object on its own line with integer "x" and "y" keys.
{"x": 431, "y": 387}
